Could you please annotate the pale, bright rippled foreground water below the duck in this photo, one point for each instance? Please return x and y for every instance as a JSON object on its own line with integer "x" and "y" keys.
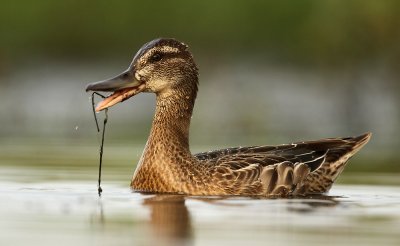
{"x": 72, "y": 214}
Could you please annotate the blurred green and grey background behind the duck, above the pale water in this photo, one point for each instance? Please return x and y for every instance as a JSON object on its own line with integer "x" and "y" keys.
{"x": 271, "y": 72}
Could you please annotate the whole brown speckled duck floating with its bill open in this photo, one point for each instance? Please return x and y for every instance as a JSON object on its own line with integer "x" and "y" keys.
{"x": 166, "y": 67}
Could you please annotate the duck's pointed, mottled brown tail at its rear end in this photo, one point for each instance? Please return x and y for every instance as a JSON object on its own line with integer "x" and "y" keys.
{"x": 322, "y": 178}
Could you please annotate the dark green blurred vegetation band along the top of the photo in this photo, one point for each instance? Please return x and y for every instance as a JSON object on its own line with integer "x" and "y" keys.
{"x": 325, "y": 33}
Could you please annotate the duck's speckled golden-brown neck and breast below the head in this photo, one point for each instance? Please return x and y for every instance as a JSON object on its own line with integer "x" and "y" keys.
{"x": 168, "y": 144}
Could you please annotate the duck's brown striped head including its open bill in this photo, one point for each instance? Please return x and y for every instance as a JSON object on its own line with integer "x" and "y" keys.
{"x": 162, "y": 66}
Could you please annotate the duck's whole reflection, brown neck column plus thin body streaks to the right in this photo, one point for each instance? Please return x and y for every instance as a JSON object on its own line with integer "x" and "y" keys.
{"x": 171, "y": 221}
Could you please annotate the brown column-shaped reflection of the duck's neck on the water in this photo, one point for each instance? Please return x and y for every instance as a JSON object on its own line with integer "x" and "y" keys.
{"x": 170, "y": 220}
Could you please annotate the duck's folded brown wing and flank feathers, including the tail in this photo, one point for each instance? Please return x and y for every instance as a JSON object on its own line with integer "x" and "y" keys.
{"x": 277, "y": 169}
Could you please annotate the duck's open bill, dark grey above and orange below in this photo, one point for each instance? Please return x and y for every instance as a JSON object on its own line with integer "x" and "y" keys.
{"x": 123, "y": 87}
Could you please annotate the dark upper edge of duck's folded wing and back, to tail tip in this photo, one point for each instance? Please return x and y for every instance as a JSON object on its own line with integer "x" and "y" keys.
{"x": 312, "y": 153}
